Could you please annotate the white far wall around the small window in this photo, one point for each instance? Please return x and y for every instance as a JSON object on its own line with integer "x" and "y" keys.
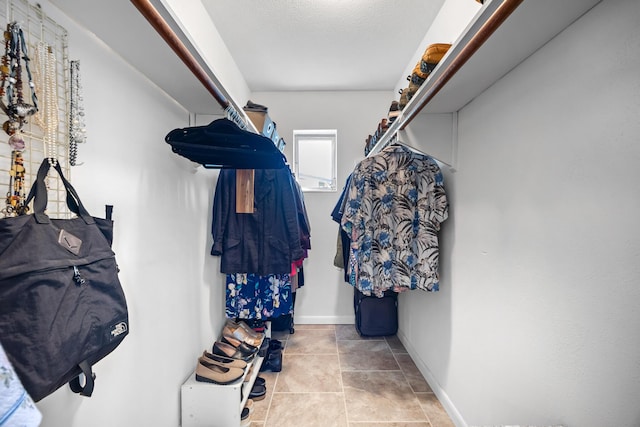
{"x": 326, "y": 298}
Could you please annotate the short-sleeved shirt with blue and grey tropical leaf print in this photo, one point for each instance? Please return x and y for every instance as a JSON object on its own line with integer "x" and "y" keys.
{"x": 395, "y": 204}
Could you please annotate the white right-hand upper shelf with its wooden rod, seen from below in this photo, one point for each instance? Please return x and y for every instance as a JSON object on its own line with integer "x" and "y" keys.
{"x": 501, "y": 35}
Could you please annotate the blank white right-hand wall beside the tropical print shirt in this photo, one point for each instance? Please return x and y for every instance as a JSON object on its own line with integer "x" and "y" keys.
{"x": 537, "y": 320}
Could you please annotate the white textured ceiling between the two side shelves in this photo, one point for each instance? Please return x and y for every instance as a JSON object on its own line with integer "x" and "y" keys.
{"x": 296, "y": 45}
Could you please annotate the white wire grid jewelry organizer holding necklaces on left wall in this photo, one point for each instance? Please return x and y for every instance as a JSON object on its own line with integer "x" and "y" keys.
{"x": 48, "y": 131}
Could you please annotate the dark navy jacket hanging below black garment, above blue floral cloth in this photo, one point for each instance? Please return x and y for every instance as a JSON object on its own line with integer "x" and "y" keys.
{"x": 266, "y": 241}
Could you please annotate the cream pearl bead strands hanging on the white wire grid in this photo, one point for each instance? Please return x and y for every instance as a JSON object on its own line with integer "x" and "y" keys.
{"x": 45, "y": 75}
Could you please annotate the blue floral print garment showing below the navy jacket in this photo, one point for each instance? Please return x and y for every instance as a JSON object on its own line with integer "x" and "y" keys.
{"x": 250, "y": 296}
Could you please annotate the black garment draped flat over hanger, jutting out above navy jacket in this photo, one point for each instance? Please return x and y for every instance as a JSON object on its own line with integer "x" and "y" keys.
{"x": 222, "y": 144}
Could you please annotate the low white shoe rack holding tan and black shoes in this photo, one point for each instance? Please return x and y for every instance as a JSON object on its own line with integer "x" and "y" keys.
{"x": 206, "y": 404}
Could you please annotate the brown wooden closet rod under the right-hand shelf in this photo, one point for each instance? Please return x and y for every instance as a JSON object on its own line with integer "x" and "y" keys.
{"x": 487, "y": 29}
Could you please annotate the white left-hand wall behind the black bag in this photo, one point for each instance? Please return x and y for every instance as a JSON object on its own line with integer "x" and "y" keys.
{"x": 162, "y": 208}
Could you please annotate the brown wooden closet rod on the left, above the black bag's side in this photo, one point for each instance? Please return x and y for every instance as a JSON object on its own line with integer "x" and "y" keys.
{"x": 157, "y": 21}
